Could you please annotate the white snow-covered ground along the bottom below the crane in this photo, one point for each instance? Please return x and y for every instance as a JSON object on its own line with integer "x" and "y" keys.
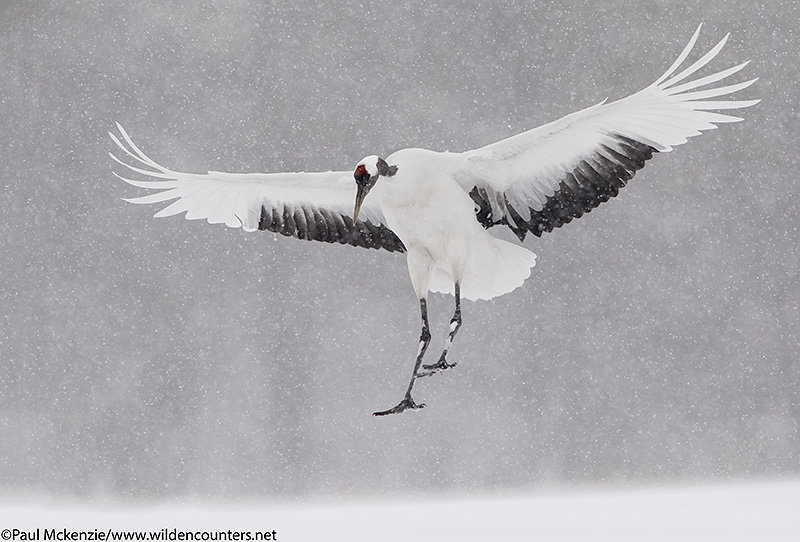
{"x": 767, "y": 511}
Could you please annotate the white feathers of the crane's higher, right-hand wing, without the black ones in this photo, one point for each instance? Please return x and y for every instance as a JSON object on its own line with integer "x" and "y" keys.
{"x": 525, "y": 170}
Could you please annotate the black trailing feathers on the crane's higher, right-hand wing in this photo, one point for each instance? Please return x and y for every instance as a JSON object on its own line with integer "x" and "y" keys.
{"x": 592, "y": 182}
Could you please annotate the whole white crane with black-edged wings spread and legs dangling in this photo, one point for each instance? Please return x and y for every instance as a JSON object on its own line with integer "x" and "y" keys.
{"x": 438, "y": 207}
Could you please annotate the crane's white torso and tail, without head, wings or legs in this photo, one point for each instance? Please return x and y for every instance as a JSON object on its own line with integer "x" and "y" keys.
{"x": 435, "y": 218}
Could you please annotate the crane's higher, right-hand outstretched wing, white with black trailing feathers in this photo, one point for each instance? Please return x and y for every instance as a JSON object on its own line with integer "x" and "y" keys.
{"x": 543, "y": 178}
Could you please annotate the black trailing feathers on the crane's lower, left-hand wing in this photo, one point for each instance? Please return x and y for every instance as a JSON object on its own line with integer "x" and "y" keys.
{"x": 329, "y": 227}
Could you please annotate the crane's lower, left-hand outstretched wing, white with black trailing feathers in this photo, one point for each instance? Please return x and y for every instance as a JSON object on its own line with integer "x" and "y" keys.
{"x": 312, "y": 206}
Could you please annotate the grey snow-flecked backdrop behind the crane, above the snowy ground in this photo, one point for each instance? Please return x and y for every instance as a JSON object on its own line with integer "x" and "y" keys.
{"x": 147, "y": 359}
